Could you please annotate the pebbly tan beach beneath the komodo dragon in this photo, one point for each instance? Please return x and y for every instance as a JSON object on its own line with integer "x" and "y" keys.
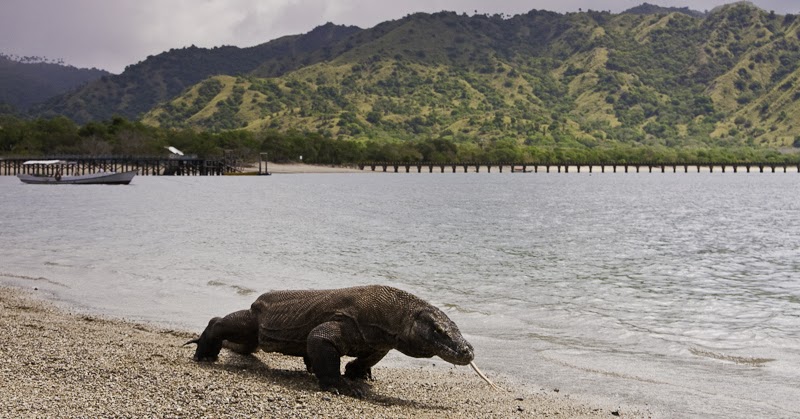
{"x": 61, "y": 364}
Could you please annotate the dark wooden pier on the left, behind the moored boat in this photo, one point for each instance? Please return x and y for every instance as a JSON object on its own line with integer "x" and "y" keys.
{"x": 146, "y": 166}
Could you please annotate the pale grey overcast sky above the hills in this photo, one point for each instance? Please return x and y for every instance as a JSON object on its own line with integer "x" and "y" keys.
{"x": 111, "y": 34}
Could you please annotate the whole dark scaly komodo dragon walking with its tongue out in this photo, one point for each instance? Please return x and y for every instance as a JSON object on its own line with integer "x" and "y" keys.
{"x": 364, "y": 322}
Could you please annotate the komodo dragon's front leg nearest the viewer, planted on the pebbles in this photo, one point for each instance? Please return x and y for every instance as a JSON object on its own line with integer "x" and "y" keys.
{"x": 325, "y": 346}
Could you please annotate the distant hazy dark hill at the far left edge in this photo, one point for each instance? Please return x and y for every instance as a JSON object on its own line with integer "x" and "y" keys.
{"x": 25, "y": 81}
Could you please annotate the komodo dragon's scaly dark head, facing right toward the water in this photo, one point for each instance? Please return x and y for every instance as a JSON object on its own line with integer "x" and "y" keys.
{"x": 432, "y": 333}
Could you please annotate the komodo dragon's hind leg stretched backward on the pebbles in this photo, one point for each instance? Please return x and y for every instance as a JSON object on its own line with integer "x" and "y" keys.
{"x": 238, "y": 332}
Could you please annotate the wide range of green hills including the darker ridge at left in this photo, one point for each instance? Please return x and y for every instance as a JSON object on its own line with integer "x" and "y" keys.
{"x": 651, "y": 76}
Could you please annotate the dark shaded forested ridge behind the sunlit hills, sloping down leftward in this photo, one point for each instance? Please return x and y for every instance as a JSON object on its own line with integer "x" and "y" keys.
{"x": 158, "y": 78}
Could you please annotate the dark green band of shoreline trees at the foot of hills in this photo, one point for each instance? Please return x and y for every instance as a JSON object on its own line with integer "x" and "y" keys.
{"x": 121, "y": 137}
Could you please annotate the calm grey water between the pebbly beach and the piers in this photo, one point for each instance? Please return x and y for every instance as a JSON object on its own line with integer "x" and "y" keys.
{"x": 680, "y": 291}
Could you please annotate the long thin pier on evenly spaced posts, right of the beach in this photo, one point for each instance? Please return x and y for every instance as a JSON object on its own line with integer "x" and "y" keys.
{"x": 710, "y": 167}
